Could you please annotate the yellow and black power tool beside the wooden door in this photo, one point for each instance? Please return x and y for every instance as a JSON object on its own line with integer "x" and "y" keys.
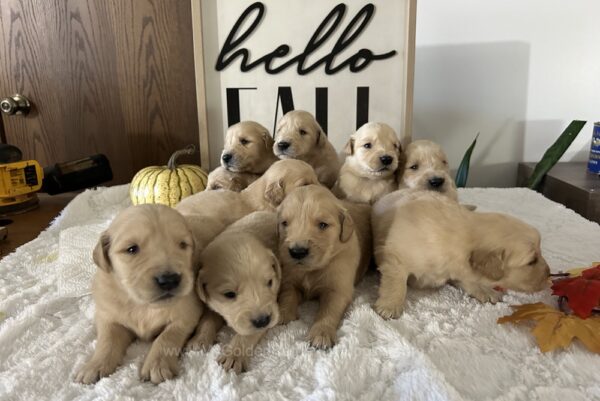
{"x": 20, "y": 180}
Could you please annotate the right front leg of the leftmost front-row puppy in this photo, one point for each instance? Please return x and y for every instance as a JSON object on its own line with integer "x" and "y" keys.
{"x": 162, "y": 362}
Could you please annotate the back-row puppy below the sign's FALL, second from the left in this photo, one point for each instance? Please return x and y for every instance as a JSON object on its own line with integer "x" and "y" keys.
{"x": 299, "y": 136}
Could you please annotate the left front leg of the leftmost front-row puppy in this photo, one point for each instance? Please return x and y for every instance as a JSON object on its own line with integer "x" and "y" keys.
{"x": 113, "y": 340}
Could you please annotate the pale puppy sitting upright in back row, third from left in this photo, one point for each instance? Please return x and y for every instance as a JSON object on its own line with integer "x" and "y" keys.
{"x": 369, "y": 171}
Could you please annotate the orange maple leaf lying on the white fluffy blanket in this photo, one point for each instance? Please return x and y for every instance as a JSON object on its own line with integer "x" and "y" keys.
{"x": 554, "y": 329}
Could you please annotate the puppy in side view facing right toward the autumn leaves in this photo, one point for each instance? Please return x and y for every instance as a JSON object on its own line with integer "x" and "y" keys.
{"x": 432, "y": 240}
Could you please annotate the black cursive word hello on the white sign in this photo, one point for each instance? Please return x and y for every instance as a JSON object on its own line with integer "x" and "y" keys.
{"x": 231, "y": 49}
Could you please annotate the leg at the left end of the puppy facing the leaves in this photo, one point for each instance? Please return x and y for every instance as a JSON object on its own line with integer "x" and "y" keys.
{"x": 392, "y": 291}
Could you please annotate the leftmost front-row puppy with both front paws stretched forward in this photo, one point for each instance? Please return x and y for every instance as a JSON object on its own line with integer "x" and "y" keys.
{"x": 144, "y": 288}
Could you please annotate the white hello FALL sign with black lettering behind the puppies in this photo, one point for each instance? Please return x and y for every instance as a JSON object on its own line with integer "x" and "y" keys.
{"x": 346, "y": 63}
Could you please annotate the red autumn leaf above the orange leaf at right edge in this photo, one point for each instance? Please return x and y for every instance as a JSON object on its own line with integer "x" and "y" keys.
{"x": 582, "y": 292}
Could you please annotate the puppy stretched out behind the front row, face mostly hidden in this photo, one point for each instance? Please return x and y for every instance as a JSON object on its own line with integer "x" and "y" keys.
{"x": 208, "y": 213}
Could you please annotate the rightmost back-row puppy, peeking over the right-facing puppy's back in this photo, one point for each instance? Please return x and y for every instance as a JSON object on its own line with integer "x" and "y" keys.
{"x": 426, "y": 167}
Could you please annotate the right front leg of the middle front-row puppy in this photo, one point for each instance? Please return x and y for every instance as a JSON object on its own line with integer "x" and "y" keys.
{"x": 332, "y": 306}
